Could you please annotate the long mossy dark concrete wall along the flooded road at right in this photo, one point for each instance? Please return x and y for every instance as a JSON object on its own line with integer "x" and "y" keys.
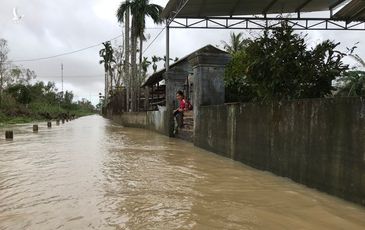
{"x": 317, "y": 142}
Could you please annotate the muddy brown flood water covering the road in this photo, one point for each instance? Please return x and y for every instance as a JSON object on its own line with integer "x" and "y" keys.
{"x": 92, "y": 174}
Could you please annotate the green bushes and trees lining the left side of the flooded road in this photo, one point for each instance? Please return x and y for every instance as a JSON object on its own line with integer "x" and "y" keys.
{"x": 24, "y": 99}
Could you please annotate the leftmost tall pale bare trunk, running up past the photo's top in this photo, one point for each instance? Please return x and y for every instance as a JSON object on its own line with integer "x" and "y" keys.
{"x": 126, "y": 63}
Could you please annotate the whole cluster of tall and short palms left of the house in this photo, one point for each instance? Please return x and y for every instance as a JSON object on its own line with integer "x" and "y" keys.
{"x": 125, "y": 66}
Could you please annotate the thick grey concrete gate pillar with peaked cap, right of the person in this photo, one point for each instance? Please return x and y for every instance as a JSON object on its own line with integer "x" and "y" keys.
{"x": 208, "y": 72}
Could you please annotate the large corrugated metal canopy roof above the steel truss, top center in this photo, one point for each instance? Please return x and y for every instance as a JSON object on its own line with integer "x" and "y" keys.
{"x": 205, "y": 8}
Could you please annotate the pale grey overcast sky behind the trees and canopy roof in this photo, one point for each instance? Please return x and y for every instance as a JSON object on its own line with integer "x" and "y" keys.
{"x": 59, "y": 26}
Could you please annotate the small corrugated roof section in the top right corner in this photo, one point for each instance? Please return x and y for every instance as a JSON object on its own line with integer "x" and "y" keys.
{"x": 353, "y": 11}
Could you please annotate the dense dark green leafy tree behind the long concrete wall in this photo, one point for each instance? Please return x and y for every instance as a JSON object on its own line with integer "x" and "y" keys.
{"x": 280, "y": 65}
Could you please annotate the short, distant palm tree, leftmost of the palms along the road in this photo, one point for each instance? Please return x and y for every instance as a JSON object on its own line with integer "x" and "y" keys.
{"x": 107, "y": 54}
